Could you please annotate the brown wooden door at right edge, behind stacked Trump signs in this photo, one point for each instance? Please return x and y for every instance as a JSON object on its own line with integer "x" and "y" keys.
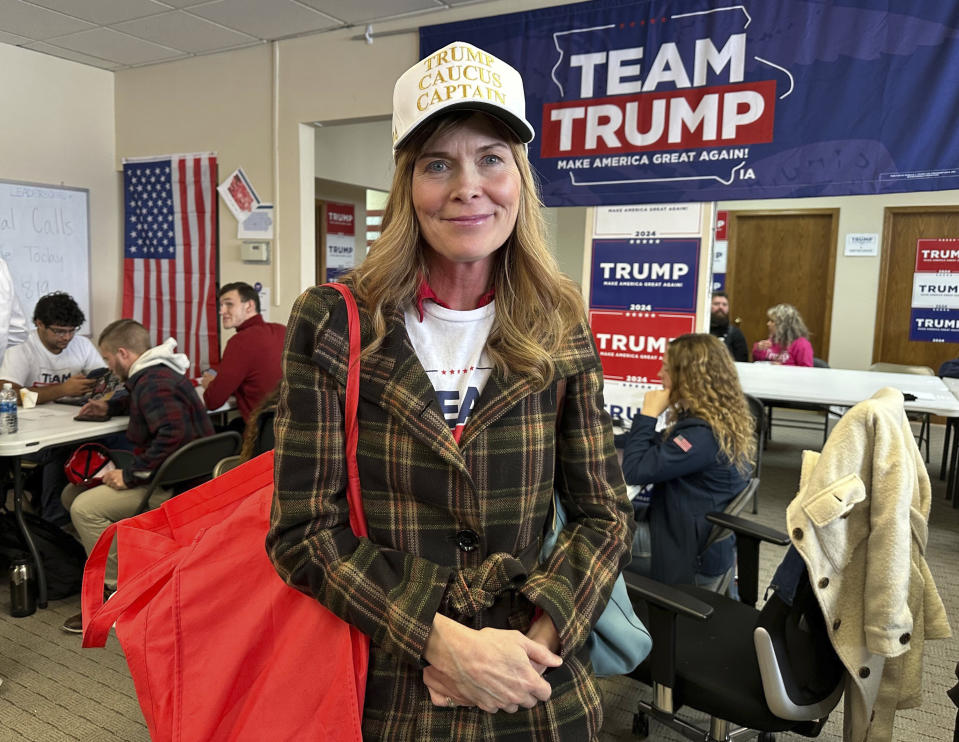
{"x": 902, "y": 227}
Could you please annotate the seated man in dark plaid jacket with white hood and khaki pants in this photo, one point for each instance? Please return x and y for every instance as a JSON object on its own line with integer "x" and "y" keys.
{"x": 165, "y": 414}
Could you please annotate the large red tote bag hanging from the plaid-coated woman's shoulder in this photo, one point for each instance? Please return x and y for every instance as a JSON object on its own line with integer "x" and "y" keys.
{"x": 219, "y": 647}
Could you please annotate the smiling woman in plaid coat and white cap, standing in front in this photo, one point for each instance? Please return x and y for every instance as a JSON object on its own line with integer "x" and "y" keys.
{"x": 467, "y": 326}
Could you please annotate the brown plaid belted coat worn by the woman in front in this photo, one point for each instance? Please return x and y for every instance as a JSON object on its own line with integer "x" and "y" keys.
{"x": 452, "y": 528}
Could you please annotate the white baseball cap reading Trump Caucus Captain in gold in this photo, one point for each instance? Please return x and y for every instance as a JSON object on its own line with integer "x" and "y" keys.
{"x": 459, "y": 76}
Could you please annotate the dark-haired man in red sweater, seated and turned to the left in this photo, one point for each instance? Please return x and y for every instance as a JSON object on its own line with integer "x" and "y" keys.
{"x": 251, "y": 365}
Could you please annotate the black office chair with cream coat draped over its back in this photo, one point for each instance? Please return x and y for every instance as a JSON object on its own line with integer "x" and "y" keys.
{"x": 770, "y": 671}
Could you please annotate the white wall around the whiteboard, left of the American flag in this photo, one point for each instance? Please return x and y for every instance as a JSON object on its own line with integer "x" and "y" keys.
{"x": 57, "y": 122}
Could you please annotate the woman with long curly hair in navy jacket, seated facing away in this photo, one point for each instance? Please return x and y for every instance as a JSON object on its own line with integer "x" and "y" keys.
{"x": 696, "y": 466}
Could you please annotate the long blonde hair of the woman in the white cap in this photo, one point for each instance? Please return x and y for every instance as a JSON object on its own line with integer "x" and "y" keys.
{"x": 537, "y": 307}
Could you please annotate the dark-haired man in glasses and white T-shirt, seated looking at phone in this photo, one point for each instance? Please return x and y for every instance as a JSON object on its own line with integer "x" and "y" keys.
{"x": 55, "y": 363}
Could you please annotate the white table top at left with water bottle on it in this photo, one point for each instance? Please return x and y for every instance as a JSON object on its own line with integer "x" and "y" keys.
{"x": 52, "y": 424}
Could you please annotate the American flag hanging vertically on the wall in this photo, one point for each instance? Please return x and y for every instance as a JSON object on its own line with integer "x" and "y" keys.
{"x": 170, "y": 246}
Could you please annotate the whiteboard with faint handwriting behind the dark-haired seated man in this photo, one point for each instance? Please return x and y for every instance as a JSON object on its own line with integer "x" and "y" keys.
{"x": 45, "y": 239}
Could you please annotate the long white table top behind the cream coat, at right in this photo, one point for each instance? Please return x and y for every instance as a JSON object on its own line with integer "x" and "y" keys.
{"x": 837, "y": 386}
